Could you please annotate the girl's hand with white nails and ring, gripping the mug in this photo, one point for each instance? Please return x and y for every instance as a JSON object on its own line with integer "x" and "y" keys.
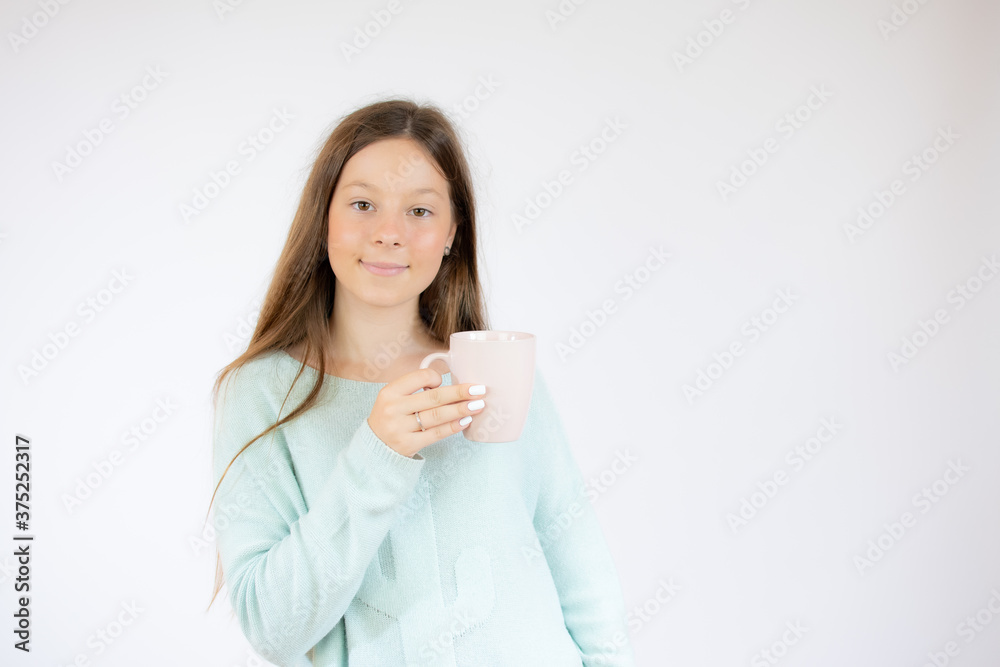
{"x": 440, "y": 408}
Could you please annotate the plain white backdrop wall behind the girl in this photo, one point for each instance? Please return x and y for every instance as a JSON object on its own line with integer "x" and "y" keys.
{"x": 754, "y": 238}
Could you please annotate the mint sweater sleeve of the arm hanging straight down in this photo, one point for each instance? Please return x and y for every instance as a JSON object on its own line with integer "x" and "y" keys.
{"x": 575, "y": 548}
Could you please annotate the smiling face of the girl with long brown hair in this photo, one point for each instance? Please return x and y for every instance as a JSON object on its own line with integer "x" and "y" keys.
{"x": 390, "y": 220}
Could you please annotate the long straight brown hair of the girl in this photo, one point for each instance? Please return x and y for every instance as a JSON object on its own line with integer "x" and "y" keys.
{"x": 299, "y": 301}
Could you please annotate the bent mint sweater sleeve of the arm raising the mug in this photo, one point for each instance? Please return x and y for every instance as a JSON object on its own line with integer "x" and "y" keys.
{"x": 292, "y": 572}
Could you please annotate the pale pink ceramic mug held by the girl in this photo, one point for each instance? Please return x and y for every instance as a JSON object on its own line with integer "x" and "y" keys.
{"x": 504, "y": 361}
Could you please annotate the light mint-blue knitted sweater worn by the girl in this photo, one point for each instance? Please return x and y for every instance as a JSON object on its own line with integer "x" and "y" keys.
{"x": 337, "y": 548}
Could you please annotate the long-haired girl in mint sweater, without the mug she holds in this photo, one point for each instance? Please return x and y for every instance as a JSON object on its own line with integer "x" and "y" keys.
{"x": 355, "y": 523}
